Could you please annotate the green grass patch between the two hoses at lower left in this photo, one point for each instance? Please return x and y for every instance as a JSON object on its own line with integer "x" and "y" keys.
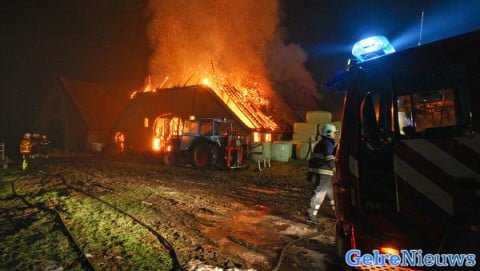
{"x": 115, "y": 241}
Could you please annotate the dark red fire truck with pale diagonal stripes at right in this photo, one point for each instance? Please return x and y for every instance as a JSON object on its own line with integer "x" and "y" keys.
{"x": 408, "y": 162}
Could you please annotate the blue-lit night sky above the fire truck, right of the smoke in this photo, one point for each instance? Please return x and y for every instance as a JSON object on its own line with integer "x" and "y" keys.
{"x": 327, "y": 30}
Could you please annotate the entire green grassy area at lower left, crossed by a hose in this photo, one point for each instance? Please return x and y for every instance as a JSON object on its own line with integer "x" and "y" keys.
{"x": 113, "y": 240}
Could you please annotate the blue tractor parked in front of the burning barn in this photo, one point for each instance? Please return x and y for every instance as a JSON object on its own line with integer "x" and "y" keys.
{"x": 206, "y": 143}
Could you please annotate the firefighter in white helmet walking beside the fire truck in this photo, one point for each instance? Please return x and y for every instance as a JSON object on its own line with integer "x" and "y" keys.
{"x": 322, "y": 167}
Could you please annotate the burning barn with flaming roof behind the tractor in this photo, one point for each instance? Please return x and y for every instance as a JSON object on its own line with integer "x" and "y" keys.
{"x": 136, "y": 126}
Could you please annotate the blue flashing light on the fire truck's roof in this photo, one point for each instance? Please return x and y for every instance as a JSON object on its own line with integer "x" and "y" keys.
{"x": 371, "y": 48}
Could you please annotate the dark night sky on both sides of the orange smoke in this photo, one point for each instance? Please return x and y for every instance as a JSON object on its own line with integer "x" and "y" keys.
{"x": 105, "y": 41}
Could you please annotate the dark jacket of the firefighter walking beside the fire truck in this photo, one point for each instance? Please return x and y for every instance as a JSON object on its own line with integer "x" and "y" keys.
{"x": 322, "y": 160}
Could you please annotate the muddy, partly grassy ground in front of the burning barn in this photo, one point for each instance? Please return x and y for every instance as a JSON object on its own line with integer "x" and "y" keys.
{"x": 227, "y": 219}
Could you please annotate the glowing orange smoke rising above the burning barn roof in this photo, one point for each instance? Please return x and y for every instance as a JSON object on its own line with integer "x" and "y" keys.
{"x": 238, "y": 42}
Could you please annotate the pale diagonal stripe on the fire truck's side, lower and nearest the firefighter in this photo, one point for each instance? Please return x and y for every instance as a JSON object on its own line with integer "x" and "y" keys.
{"x": 424, "y": 185}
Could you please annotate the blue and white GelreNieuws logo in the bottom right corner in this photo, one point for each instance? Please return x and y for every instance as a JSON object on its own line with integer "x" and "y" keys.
{"x": 409, "y": 258}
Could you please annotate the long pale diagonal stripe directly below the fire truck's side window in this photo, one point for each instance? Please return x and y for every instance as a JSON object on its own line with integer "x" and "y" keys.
{"x": 441, "y": 158}
